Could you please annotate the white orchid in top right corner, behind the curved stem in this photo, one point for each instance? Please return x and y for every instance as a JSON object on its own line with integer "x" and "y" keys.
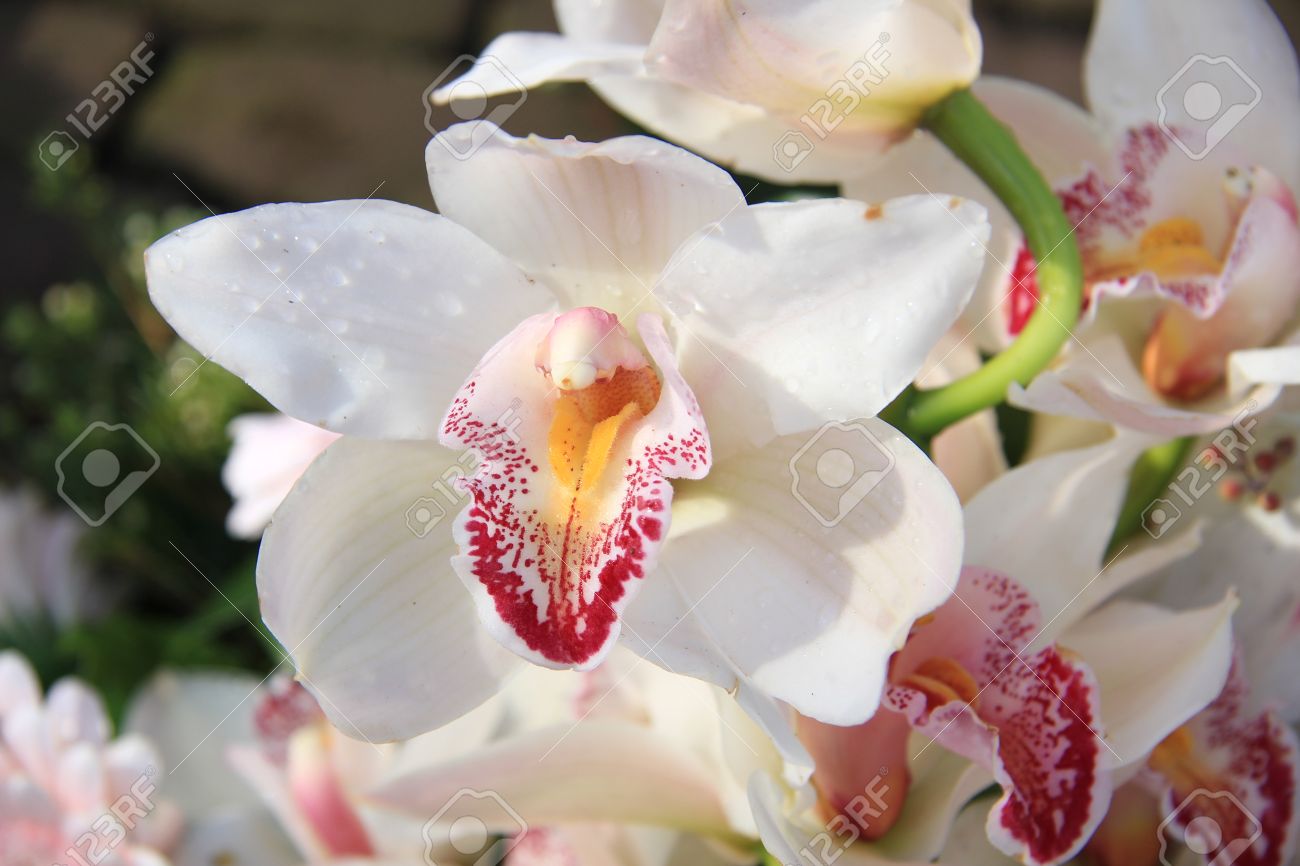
{"x": 1188, "y": 226}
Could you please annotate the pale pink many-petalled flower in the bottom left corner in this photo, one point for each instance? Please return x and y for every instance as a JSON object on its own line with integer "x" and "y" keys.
{"x": 68, "y": 791}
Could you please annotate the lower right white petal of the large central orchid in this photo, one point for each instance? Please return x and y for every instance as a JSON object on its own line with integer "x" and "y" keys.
{"x": 757, "y": 587}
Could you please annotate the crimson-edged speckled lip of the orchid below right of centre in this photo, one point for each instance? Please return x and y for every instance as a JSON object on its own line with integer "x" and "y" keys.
{"x": 1032, "y": 720}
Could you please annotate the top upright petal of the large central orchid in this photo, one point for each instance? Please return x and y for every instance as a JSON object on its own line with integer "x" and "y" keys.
{"x": 597, "y": 223}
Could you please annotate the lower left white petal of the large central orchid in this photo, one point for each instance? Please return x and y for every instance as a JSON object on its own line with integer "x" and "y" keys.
{"x": 357, "y": 584}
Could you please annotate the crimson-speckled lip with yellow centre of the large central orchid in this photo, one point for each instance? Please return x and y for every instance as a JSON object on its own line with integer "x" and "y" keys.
{"x": 570, "y": 505}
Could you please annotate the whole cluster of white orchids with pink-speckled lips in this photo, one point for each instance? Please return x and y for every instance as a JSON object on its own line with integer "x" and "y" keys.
{"x": 603, "y": 534}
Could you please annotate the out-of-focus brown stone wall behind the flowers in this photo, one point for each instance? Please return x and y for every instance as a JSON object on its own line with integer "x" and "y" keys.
{"x": 263, "y": 101}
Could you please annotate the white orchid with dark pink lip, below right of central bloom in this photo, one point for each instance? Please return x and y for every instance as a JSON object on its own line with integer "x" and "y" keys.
{"x": 1046, "y": 685}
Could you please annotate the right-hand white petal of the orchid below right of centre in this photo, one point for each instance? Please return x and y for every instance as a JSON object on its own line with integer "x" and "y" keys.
{"x": 1156, "y": 668}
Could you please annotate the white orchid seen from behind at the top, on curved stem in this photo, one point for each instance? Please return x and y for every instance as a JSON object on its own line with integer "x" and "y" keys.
{"x": 788, "y": 93}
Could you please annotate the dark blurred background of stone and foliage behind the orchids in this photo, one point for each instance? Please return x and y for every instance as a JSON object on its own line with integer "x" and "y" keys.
{"x": 223, "y": 106}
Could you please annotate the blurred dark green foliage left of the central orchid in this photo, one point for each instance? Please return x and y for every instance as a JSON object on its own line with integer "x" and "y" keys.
{"x": 96, "y": 350}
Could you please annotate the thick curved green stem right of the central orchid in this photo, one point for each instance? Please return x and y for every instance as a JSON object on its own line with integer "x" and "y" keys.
{"x": 990, "y": 150}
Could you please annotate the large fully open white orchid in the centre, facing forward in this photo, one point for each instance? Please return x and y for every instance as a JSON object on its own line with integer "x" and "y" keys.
{"x": 635, "y": 357}
